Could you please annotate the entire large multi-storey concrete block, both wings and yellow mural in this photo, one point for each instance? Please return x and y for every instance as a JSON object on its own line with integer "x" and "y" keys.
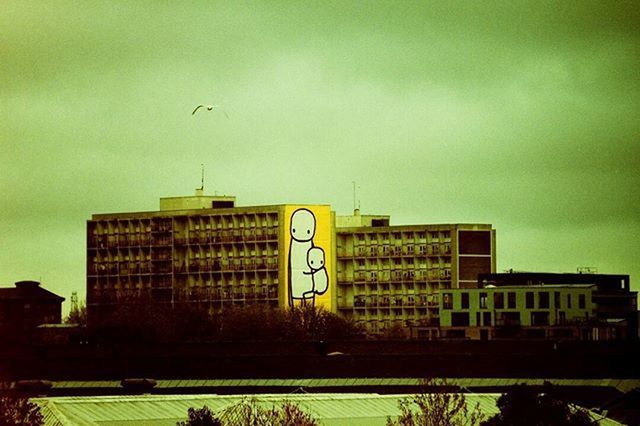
{"x": 206, "y": 250}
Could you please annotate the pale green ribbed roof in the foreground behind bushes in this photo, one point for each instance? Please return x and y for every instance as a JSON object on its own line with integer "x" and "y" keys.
{"x": 329, "y": 409}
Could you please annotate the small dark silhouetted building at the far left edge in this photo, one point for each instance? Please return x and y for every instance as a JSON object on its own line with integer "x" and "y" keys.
{"x": 25, "y": 307}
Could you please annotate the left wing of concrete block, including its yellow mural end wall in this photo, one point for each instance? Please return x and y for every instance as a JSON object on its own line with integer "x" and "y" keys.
{"x": 195, "y": 250}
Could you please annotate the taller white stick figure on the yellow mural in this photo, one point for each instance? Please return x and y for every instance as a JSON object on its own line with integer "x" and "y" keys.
{"x": 302, "y": 230}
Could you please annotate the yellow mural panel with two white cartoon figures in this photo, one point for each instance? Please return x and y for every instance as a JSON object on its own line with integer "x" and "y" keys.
{"x": 309, "y": 257}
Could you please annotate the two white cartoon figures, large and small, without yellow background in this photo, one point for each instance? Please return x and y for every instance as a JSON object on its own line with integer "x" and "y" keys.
{"x": 305, "y": 279}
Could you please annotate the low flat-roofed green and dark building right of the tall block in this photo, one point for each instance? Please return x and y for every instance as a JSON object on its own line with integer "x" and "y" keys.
{"x": 531, "y": 305}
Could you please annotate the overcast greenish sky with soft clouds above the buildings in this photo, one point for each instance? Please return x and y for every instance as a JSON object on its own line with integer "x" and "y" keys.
{"x": 522, "y": 115}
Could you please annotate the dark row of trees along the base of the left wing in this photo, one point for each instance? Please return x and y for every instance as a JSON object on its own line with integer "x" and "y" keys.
{"x": 140, "y": 321}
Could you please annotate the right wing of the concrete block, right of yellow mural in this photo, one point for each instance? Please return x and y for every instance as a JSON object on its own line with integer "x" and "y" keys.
{"x": 390, "y": 277}
